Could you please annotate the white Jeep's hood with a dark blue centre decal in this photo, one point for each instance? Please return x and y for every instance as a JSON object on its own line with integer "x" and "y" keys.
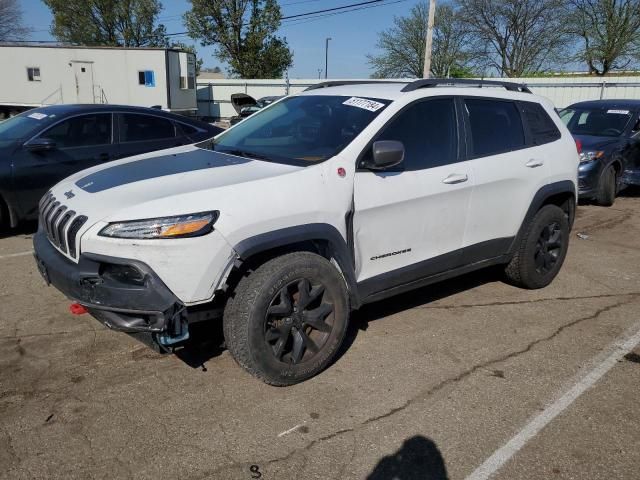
{"x": 162, "y": 183}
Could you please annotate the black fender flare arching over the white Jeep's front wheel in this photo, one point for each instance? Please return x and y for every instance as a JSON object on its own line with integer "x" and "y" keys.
{"x": 338, "y": 248}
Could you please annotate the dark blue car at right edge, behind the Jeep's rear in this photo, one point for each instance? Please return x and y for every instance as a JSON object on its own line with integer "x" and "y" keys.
{"x": 608, "y": 132}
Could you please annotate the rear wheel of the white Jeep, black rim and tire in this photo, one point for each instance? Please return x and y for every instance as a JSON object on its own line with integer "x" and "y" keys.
{"x": 542, "y": 250}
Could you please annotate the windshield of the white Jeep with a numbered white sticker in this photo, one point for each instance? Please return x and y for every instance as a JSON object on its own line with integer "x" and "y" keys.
{"x": 300, "y": 130}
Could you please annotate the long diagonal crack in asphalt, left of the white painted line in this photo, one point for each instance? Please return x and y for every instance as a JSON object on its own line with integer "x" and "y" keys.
{"x": 421, "y": 396}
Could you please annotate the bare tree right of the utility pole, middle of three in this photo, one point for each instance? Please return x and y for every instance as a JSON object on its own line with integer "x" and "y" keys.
{"x": 516, "y": 37}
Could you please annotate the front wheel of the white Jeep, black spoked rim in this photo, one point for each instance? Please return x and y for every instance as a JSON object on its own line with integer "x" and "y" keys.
{"x": 288, "y": 318}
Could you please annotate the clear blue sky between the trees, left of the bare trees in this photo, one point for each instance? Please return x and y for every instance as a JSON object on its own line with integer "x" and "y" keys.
{"x": 353, "y": 34}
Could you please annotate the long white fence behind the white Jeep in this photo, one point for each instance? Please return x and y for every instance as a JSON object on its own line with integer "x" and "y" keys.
{"x": 214, "y": 95}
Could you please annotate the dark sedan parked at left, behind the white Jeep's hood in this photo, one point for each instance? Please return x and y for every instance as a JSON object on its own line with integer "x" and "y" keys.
{"x": 40, "y": 147}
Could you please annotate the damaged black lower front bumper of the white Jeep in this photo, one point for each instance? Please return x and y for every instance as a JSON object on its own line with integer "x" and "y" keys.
{"x": 142, "y": 304}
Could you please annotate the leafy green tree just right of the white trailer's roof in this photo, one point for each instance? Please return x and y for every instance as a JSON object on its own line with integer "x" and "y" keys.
{"x": 244, "y": 34}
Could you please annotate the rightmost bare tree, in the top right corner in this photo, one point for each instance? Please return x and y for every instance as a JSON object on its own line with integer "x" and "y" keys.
{"x": 609, "y": 30}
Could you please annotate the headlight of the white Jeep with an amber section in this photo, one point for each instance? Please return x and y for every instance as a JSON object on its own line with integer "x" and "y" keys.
{"x": 181, "y": 226}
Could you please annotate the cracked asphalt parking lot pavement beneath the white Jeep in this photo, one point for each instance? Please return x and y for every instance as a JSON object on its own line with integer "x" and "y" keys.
{"x": 471, "y": 378}
